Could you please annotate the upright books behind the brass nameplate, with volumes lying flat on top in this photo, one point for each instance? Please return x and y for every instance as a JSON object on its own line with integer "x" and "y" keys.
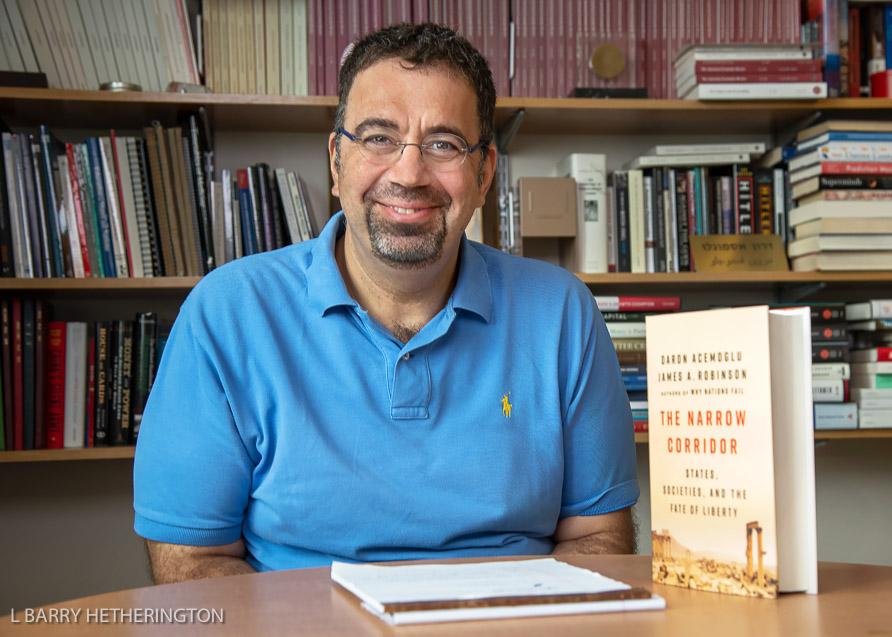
{"x": 676, "y": 191}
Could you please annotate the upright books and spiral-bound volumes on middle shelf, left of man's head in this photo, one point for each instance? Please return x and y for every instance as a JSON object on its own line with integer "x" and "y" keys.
{"x": 138, "y": 206}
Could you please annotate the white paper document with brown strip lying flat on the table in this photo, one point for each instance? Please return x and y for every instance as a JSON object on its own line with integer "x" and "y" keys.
{"x": 422, "y": 593}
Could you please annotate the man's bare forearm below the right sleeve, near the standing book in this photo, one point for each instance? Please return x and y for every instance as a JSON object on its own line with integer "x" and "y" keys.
{"x": 593, "y": 534}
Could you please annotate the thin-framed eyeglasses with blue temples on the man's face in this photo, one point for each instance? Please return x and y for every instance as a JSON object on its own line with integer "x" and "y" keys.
{"x": 443, "y": 152}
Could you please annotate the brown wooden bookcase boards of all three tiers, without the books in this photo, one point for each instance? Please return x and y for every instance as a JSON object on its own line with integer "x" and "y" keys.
{"x": 234, "y": 118}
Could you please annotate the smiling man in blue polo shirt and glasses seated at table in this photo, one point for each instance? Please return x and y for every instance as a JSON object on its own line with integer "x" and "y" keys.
{"x": 389, "y": 390}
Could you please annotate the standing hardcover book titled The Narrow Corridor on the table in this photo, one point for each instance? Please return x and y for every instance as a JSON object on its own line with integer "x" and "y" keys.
{"x": 731, "y": 450}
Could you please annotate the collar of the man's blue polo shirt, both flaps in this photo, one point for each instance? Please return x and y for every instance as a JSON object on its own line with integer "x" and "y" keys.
{"x": 326, "y": 289}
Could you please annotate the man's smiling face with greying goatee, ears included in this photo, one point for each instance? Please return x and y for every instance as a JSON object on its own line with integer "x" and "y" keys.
{"x": 411, "y": 212}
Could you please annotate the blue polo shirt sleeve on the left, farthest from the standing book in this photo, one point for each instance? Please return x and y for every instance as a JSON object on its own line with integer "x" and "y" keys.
{"x": 192, "y": 472}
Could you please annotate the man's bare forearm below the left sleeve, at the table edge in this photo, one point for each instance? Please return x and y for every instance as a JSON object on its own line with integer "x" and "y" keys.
{"x": 177, "y": 562}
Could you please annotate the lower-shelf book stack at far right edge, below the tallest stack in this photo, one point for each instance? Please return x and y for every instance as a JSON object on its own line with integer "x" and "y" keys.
{"x": 871, "y": 324}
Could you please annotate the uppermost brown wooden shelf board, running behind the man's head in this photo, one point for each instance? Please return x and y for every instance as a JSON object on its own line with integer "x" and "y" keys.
{"x": 315, "y": 114}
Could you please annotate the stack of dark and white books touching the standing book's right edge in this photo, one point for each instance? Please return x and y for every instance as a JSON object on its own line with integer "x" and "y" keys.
{"x": 831, "y": 369}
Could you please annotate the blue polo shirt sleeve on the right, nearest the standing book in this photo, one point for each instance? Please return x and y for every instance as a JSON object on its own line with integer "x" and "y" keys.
{"x": 599, "y": 442}
